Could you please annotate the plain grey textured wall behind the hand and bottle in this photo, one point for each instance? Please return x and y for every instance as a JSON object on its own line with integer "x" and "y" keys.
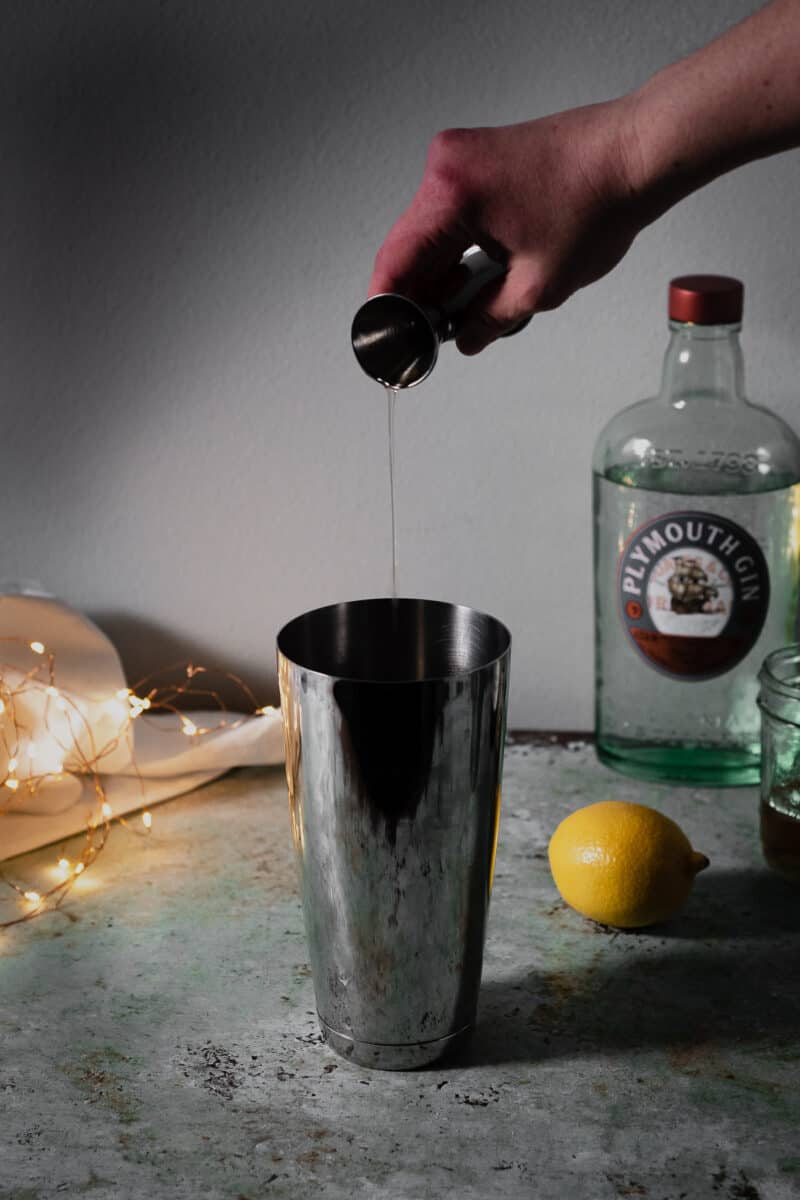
{"x": 193, "y": 196}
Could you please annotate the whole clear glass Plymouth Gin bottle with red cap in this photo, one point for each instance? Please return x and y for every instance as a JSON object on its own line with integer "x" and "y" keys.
{"x": 696, "y": 529}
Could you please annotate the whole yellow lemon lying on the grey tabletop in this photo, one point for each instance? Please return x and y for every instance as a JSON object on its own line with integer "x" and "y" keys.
{"x": 623, "y": 865}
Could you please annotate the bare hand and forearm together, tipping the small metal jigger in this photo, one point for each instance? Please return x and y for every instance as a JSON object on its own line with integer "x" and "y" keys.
{"x": 563, "y": 197}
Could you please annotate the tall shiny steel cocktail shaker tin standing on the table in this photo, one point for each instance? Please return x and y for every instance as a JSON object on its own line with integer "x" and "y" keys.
{"x": 395, "y": 725}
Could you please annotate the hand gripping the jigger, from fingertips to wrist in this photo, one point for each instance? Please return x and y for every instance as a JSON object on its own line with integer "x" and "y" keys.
{"x": 552, "y": 197}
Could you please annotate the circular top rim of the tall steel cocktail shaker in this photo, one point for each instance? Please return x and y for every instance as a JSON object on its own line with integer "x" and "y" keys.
{"x": 501, "y": 631}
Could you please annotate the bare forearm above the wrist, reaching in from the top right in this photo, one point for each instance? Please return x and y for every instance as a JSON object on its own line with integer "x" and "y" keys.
{"x": 731, "y": 103}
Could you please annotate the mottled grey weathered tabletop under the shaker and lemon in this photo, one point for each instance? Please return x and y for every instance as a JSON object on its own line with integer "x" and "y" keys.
{"x": 159, "y": 1039}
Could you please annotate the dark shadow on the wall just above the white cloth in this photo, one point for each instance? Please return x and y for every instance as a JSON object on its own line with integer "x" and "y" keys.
{"x": 153, "y": 652}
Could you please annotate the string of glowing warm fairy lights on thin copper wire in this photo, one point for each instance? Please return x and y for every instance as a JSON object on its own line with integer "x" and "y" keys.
{"x": 73, "y": 751}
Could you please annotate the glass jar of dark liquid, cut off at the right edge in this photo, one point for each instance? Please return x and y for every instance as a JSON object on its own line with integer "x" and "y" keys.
{"x": 780, "y": 803}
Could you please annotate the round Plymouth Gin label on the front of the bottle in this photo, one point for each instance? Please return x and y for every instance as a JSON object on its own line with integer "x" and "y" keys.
{"x": 694, "y": 591}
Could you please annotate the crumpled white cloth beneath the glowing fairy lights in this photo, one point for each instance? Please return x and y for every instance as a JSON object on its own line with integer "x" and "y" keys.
{"x": 68, "y": 706}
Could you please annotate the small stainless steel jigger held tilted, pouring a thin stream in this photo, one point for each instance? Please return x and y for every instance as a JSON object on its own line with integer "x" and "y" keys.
{"x": 396, "y": 341}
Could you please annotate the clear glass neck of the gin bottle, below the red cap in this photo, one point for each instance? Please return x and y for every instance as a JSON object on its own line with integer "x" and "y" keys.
{"x": 703, "y": 363}
